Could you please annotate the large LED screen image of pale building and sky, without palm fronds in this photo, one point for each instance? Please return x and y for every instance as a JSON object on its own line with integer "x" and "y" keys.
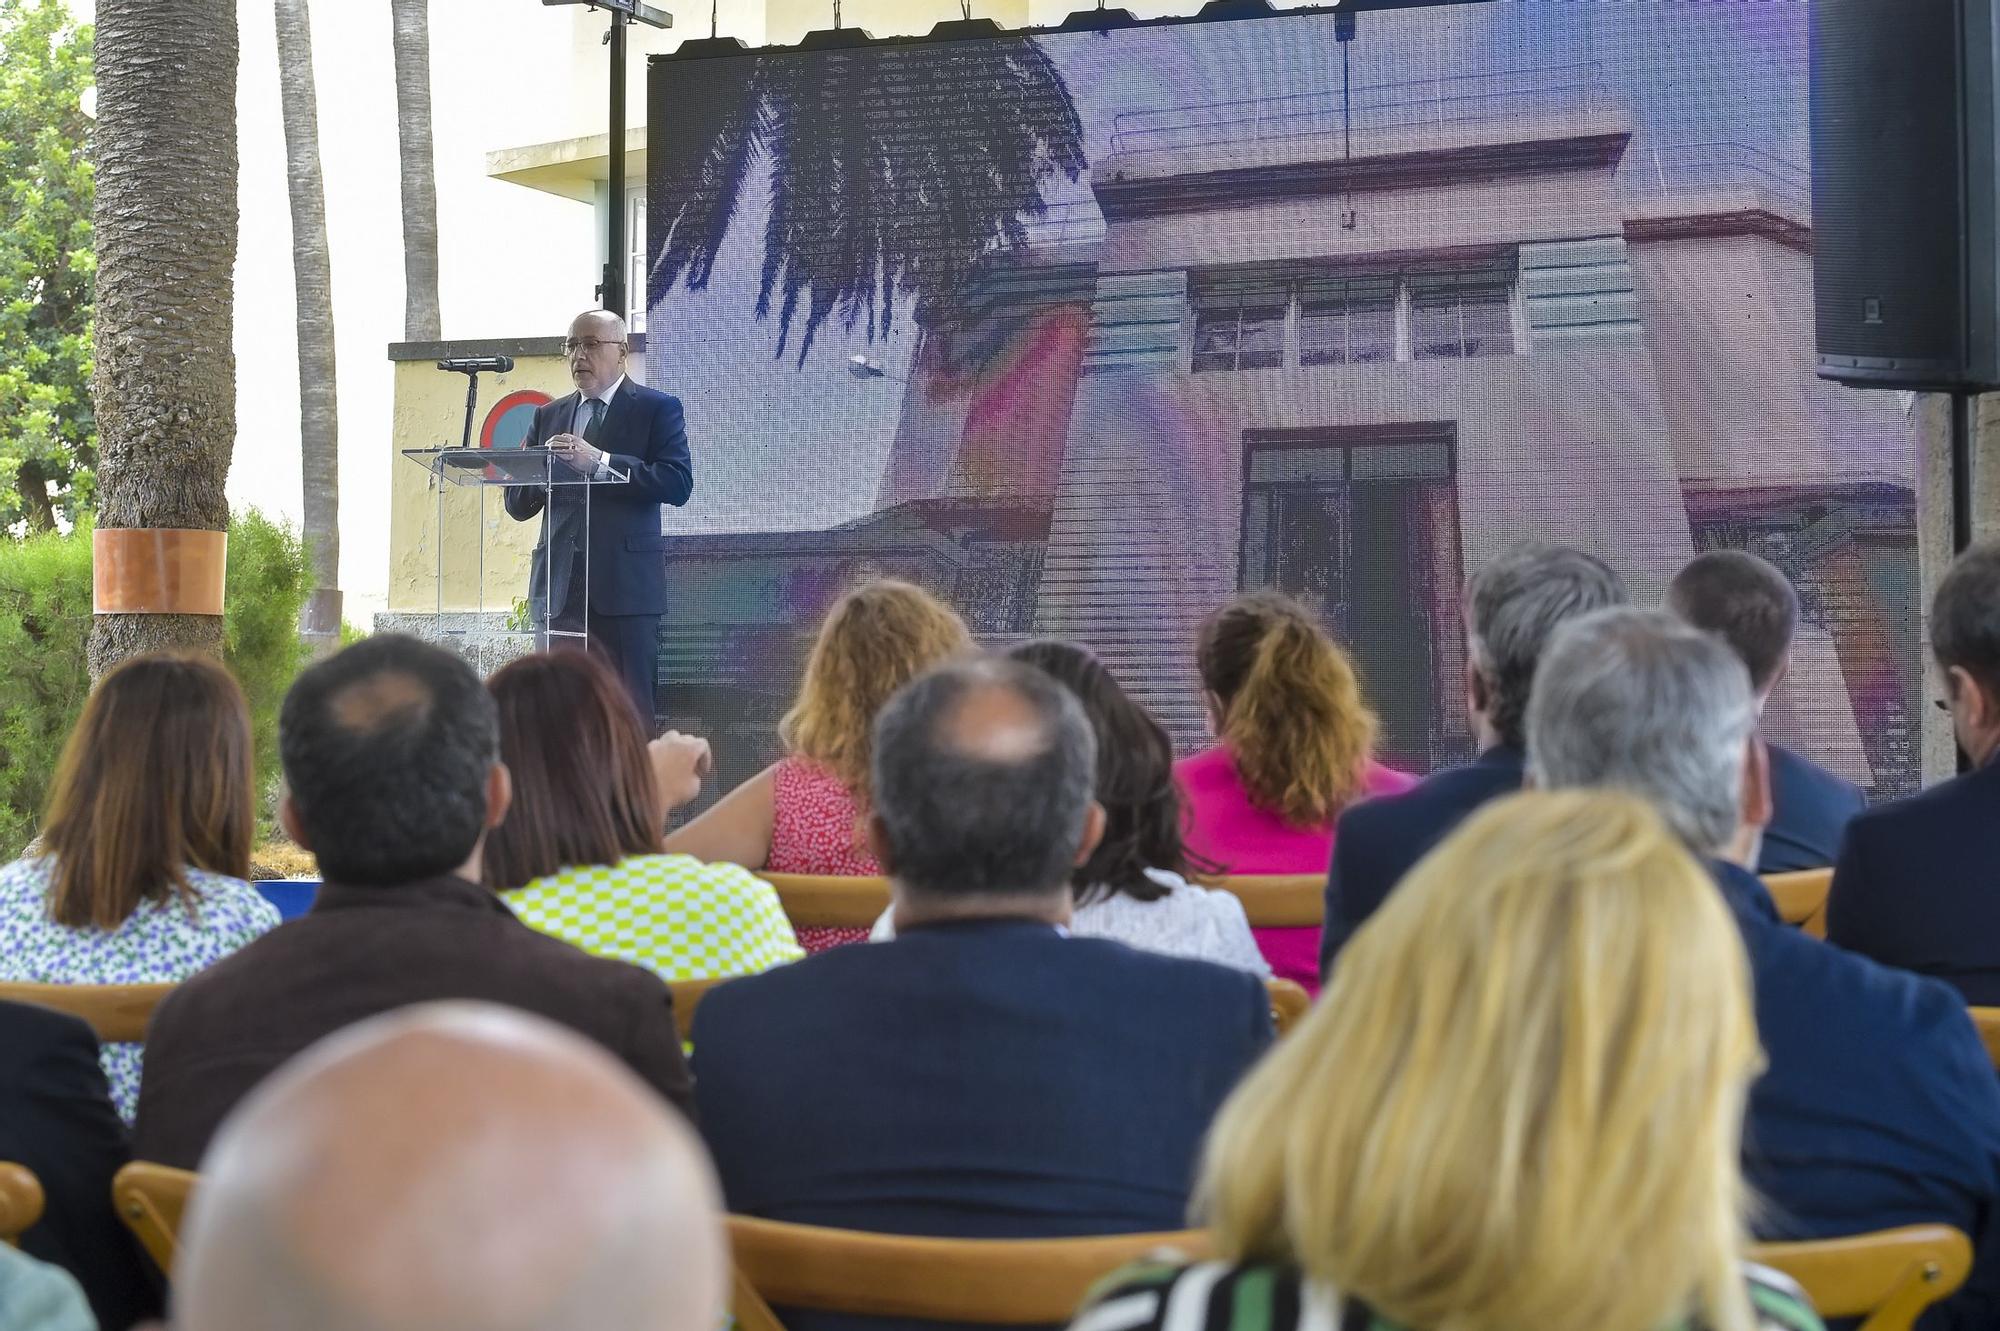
{"x": 1329, "y": 311}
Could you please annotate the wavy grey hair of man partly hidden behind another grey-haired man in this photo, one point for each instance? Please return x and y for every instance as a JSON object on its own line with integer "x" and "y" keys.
{"x": 1513, "y": 607}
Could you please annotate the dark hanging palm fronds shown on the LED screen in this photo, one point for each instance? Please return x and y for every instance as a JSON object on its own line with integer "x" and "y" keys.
{"x": 893, "y": 171}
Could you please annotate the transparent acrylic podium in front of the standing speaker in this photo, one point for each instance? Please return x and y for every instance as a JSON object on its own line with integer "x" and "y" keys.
{"x": 465, "y": 621}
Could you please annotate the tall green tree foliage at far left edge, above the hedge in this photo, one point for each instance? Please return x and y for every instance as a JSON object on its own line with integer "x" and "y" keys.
{"x": 47, "y": 267}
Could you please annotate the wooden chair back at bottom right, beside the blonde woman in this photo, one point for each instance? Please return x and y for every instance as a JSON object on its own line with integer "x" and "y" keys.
{"x": 1889, "y": 1278}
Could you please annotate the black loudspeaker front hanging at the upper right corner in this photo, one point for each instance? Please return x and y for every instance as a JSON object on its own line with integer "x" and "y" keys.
{"x": 1887, "y": 189}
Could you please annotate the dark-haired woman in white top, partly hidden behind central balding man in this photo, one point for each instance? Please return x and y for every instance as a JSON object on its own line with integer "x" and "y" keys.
{"x": 1133, "y": 888}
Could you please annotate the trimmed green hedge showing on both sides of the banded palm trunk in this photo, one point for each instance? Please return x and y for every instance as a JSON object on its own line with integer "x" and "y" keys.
{"x": 45, "y": 619}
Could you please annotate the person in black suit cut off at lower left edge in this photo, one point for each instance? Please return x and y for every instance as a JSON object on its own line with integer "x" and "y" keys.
{"x": 57, "y": 1120}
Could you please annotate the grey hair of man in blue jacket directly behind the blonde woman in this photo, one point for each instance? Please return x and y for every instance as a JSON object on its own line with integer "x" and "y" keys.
{"x": 1639, "y": 700}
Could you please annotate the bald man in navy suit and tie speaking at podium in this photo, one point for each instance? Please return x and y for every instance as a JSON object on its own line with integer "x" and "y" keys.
{"x": 609, "y": 427}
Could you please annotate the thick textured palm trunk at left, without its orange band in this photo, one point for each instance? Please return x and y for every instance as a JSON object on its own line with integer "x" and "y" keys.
{"x": 165, "y": 227}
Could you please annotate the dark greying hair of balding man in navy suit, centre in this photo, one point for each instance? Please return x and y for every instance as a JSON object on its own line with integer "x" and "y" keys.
{"x": 965, "y": 818}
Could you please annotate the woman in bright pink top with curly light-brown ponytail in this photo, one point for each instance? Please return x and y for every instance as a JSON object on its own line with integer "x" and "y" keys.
{"x": 1295, "y": 750}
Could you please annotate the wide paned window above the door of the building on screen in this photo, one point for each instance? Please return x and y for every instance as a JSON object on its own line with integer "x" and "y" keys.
{"x": 1329, "y": 317}
